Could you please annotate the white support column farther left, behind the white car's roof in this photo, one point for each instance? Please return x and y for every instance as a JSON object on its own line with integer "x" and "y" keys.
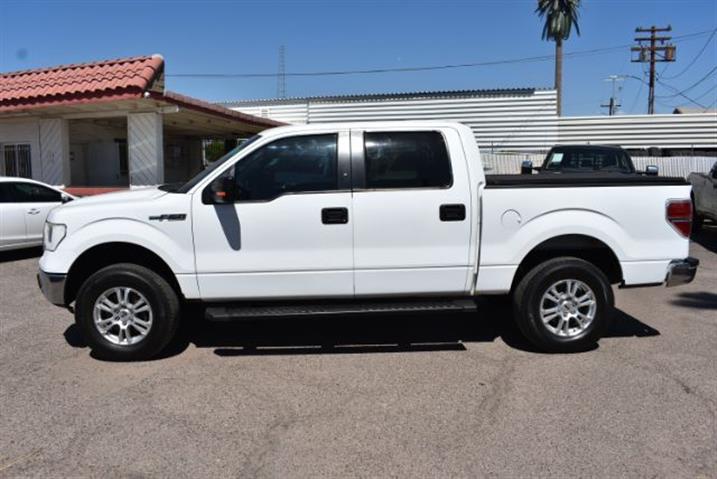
{"x": 54, "y": 152}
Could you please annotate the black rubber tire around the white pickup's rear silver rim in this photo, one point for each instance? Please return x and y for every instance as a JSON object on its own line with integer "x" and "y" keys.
{"x": 528, "y": 296}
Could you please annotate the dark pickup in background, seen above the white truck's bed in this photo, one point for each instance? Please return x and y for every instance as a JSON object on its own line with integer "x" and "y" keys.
{"x": 585, "y": 159}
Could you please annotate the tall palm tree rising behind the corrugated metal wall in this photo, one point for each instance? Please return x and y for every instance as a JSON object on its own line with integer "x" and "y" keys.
{"x": 560, "y": 16}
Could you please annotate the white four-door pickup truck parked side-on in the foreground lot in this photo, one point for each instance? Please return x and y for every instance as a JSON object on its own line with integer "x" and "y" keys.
{"x": 363, "y": 218}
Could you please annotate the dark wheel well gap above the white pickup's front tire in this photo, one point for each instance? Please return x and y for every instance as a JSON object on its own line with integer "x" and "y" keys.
{"x": 108, "y": 254}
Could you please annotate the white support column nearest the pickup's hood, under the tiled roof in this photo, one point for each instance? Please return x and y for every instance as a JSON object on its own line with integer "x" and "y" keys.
{"x": 145, "y": 147}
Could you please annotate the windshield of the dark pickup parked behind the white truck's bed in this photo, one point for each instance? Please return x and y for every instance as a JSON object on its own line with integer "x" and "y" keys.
{"x": 593, "y": 160}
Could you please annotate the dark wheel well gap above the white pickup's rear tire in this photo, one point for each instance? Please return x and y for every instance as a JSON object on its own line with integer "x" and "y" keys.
{"x": 578, "y": 246}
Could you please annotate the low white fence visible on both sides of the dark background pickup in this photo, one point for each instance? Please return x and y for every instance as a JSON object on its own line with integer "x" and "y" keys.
{"x": 509, "y": 163}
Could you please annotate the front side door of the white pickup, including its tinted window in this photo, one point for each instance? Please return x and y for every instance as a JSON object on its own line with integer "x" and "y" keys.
{"x": 288, "y": 233}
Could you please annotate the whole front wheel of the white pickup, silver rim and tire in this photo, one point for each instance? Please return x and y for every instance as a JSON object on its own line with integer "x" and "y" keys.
{"x": 127, "y": 312}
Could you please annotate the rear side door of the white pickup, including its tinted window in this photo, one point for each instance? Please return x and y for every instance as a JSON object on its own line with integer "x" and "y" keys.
{"x": 412, "y": 218}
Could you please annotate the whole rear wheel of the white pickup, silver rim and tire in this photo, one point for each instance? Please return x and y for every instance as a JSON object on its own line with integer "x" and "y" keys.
{"x": 563, "y": 305}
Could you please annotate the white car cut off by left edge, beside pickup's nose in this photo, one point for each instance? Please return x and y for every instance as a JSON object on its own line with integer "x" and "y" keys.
{"x": 24, "y": 206}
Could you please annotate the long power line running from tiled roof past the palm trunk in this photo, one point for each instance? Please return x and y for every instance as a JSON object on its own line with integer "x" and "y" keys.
{"x": 541, "y": 58}
